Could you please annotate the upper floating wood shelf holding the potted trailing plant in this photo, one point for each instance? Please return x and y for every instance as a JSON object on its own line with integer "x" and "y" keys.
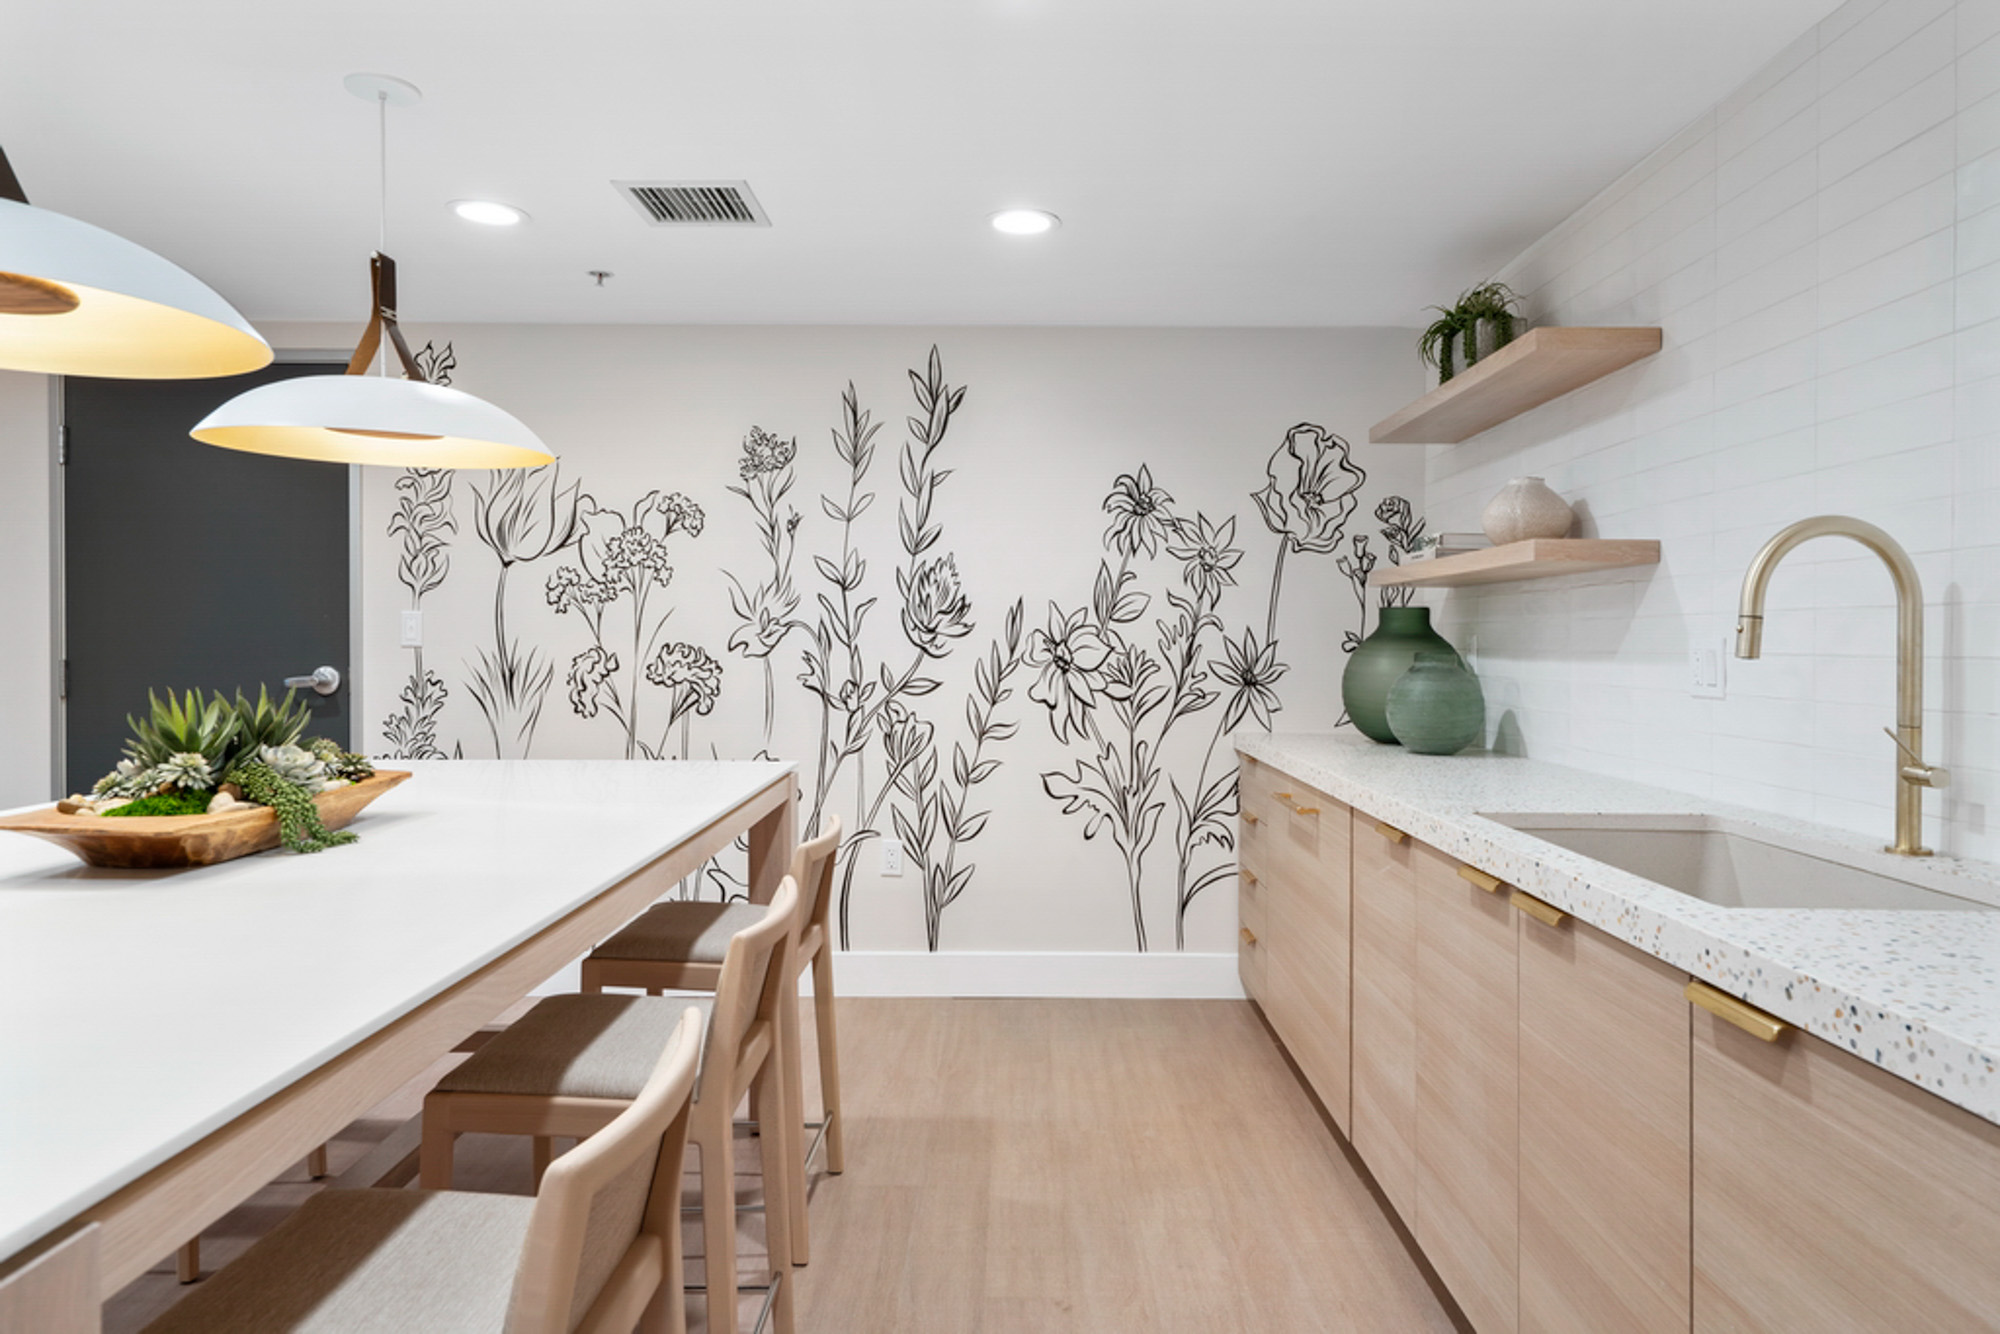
{"x": 1541, "y": 365}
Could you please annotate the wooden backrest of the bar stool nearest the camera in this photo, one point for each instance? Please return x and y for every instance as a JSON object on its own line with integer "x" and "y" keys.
{"x": 613, "y": 1205}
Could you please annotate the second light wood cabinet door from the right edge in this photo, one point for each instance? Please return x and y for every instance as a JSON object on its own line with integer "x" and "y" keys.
{"x": 1603, "y": 1135}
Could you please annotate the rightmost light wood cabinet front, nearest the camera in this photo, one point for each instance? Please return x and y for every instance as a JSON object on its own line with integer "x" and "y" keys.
{"x": 1829, "y": 1195}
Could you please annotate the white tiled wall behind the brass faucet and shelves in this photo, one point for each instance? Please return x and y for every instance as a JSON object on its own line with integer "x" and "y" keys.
{"x": 1823, "y": 253}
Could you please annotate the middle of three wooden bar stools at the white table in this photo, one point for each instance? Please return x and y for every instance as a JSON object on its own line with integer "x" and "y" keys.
{"x": 573, "y": 1063}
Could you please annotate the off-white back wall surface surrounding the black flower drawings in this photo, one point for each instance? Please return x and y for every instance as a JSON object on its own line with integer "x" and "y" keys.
{"x": 1049, "y": 421}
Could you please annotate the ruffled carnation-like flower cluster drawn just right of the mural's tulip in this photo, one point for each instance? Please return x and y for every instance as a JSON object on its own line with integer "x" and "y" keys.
{"x": 623, "y": 561}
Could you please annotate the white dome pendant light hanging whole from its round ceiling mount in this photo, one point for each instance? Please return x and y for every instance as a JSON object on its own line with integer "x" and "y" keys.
{"x": 361, "y": 419}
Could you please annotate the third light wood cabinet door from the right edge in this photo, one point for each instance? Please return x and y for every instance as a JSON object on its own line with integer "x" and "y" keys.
{"x": 1467, "y": 1091}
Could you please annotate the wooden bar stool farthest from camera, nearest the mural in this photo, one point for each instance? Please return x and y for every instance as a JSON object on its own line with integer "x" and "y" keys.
{"x": 679, "y": 947}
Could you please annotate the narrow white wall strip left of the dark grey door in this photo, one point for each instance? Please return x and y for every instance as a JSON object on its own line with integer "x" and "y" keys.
{"x": 27, "y": 701}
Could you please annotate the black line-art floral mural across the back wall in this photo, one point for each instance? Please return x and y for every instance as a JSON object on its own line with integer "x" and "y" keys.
{"x": 911, "y": 687}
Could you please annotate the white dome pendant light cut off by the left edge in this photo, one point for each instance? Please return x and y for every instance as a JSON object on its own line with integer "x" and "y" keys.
{"x": 79, "y": 301}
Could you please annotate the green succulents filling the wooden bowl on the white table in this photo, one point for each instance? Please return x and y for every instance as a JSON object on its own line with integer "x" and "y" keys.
{"x": 193, "y": 757}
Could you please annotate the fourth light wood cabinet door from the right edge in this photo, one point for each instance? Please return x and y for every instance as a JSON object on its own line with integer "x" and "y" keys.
{"x": 1385, "y": 1007}
